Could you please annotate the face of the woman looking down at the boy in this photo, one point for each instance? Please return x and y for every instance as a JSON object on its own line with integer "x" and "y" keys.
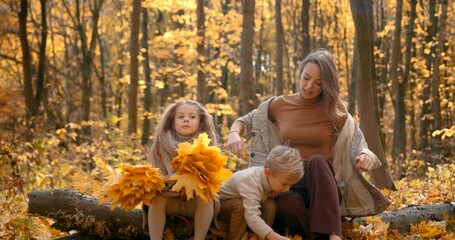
{"x": 310, "y": 81}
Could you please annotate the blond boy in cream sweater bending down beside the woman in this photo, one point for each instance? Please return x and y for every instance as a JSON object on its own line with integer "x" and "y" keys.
{"x": 247, "y": 198}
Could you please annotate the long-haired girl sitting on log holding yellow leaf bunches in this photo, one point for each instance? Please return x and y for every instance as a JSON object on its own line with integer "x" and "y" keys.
{"x": 181, "y": 121}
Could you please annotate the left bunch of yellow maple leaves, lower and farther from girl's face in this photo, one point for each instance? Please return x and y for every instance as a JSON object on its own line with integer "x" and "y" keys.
{"x": 135, "y": 184}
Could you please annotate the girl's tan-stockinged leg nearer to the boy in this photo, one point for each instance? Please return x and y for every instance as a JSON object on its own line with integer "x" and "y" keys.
{"x": 203, "y": 217}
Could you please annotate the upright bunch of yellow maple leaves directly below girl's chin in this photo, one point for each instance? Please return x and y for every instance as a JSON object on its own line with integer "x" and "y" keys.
{"x": 199, "y": 169}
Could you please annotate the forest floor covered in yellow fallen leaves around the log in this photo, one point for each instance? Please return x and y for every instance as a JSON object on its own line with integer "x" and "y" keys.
{"x": 53, "y": 162}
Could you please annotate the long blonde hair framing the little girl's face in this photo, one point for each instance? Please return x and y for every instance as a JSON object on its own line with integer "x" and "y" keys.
{"x": 165, "y": 142}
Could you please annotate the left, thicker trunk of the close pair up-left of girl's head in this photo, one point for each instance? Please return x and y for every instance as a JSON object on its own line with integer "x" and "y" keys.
{"x": 134, "y": 67}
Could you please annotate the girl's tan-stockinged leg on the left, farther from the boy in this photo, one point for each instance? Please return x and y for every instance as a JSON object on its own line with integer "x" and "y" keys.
{"x": 157, "y": 217}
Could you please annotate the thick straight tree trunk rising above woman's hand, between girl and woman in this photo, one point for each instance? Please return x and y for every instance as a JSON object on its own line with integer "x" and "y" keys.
{"x": 247, "y": 99}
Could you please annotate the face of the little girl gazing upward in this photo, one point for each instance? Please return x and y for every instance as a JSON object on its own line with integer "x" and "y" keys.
{"x": 186, "y": 120}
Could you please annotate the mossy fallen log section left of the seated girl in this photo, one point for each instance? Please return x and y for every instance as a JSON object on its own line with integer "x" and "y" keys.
{"x": 75, "y": 211}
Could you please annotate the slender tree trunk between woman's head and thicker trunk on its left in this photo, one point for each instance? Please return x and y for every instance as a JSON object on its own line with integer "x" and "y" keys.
{"x": 279, "y": 48}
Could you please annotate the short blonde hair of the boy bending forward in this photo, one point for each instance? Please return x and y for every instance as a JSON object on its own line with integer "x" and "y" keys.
{"x": 285, "y": 161}
